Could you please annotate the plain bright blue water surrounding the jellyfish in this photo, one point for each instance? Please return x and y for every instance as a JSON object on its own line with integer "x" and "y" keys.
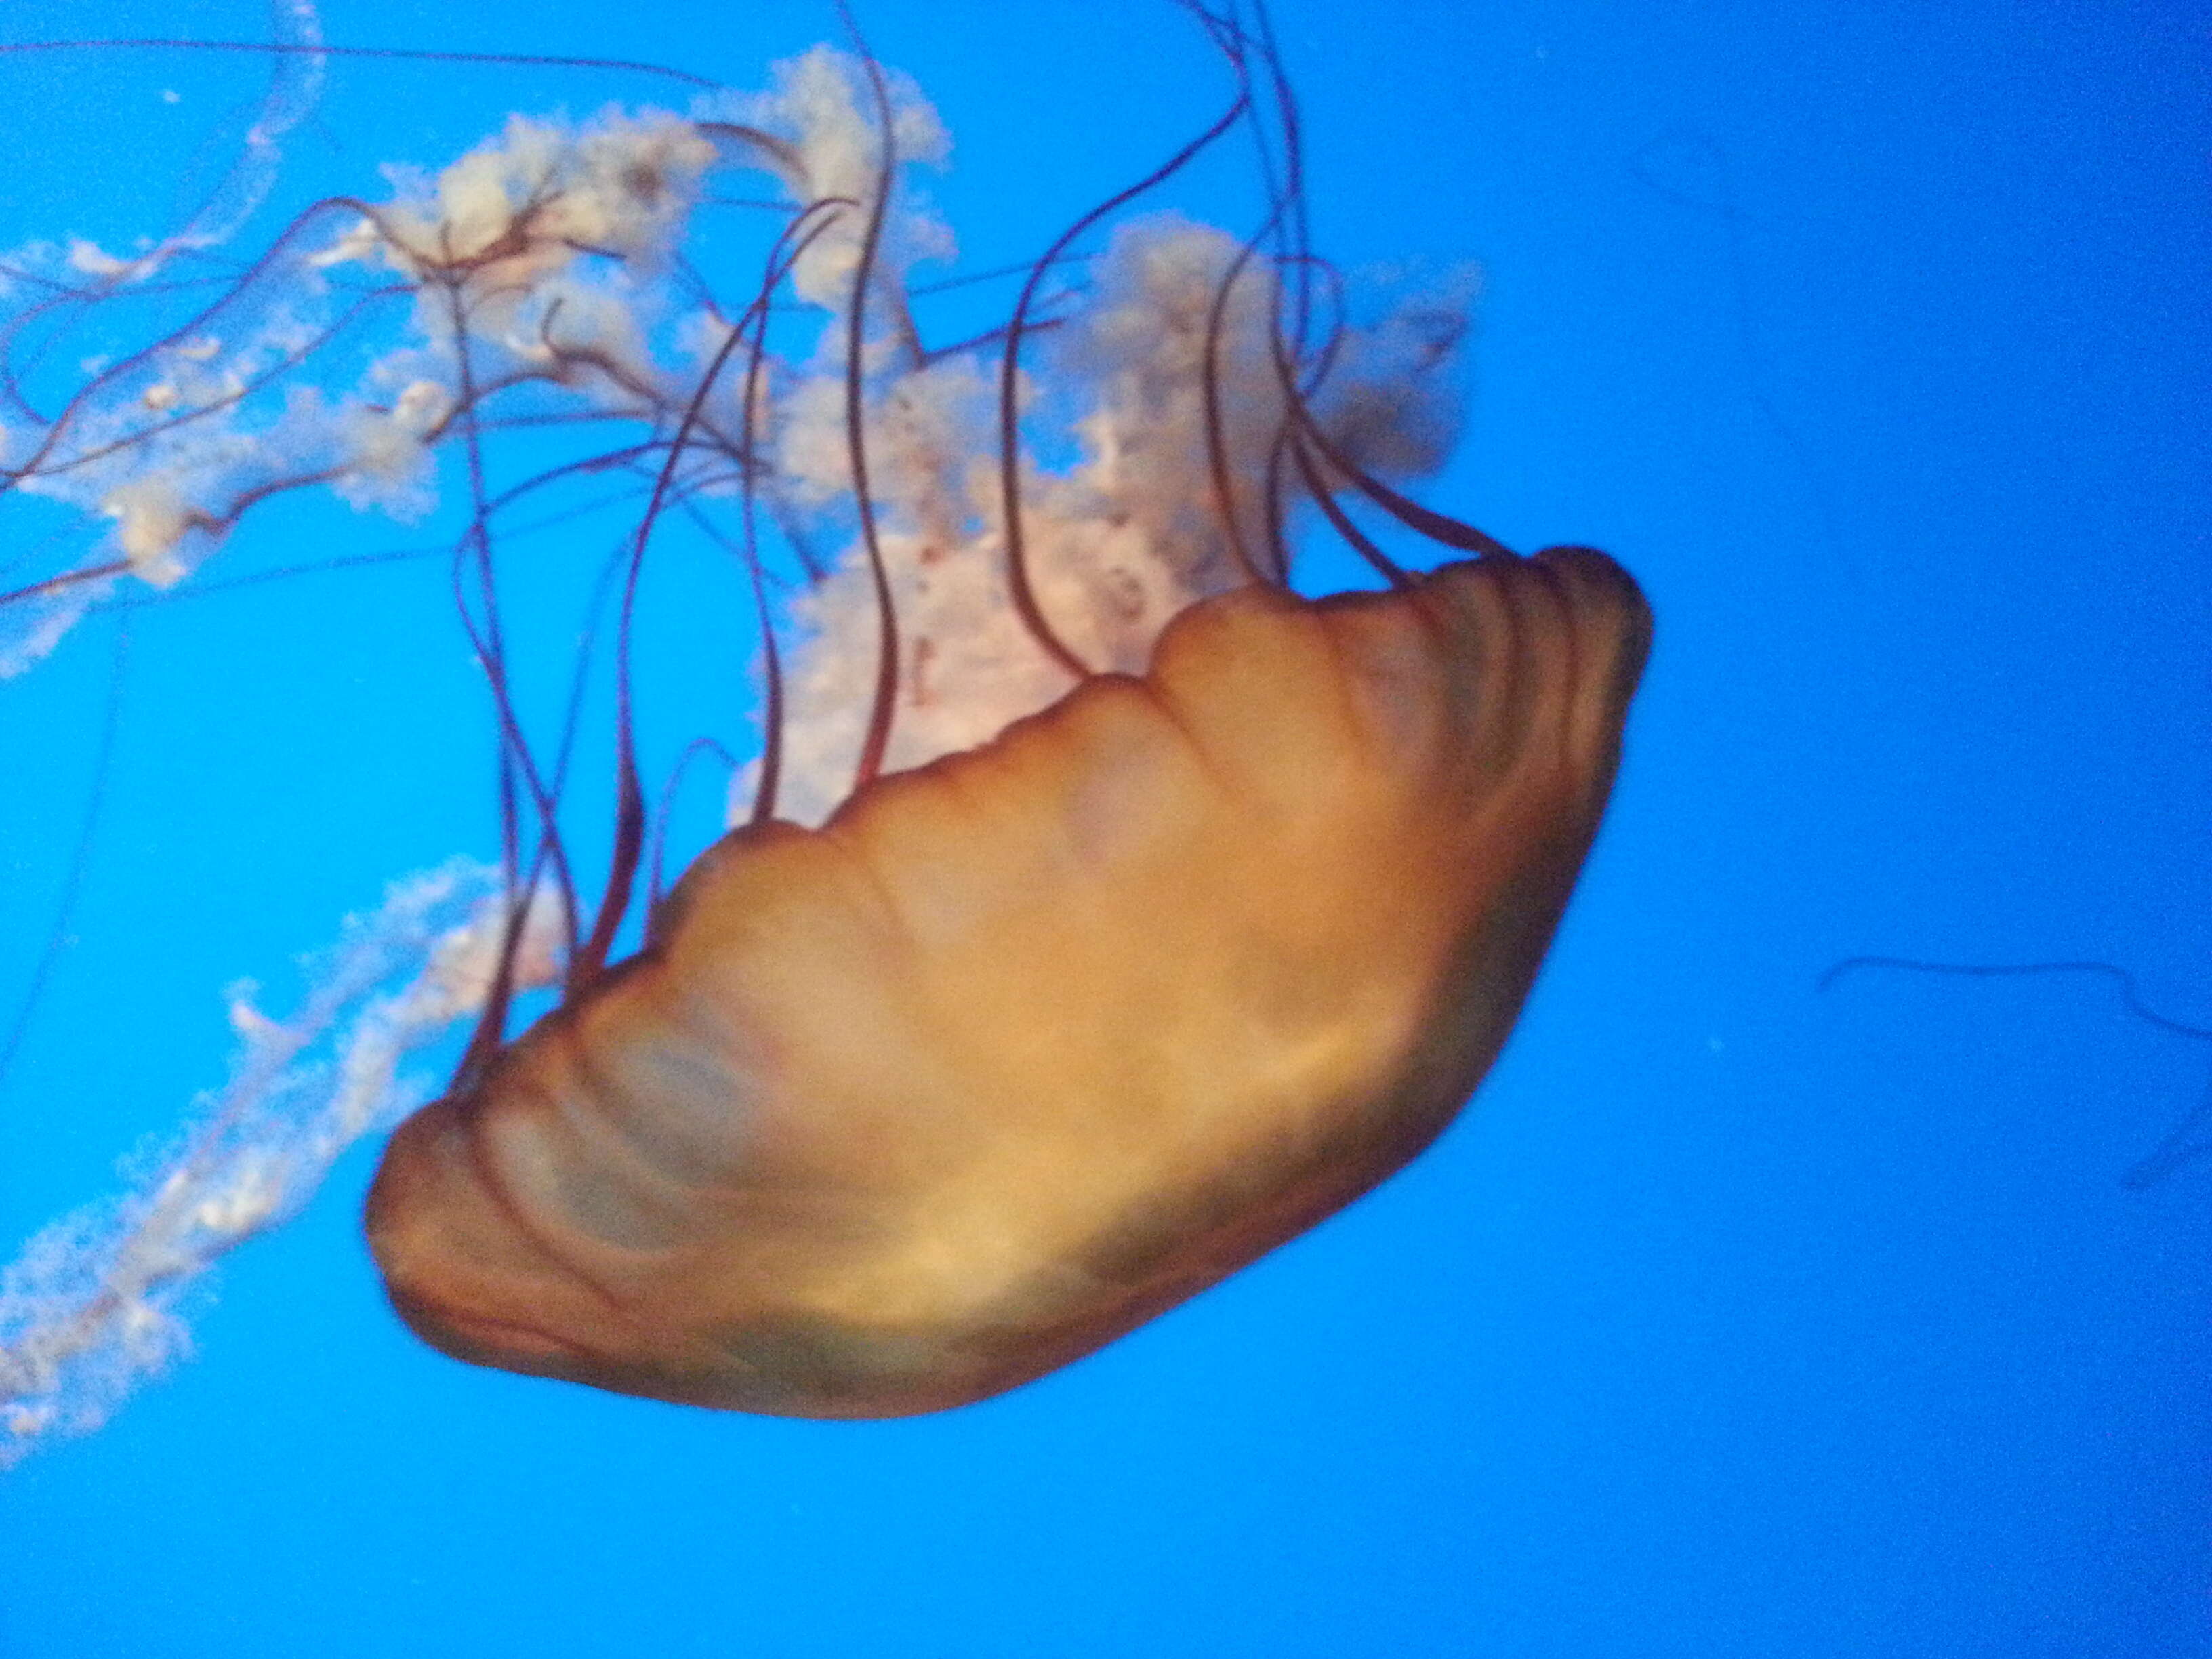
{"x": 1733, "y": 1319}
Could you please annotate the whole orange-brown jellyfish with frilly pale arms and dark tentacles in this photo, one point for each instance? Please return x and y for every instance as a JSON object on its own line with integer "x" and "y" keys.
{"x": 1096, "y": 912}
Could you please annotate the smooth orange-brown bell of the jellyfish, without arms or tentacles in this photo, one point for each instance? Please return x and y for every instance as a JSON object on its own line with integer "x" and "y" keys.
{"x": 1043, "y": 1039}
